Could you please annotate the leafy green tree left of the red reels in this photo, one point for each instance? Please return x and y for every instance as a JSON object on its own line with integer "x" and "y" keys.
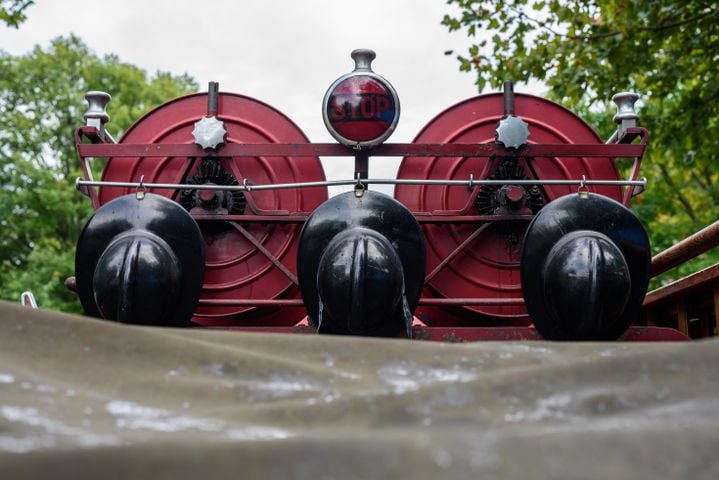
{"x": 41, "y": 103}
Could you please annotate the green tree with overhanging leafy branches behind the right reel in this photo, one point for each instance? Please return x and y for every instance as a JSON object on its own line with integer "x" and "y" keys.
{"x": 587, "y": 50}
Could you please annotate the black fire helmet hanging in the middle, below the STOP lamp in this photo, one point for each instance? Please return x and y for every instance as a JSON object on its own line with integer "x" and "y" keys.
{"x": 357, "y": 252}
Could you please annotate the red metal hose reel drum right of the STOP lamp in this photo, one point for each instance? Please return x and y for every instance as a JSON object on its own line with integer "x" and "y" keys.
{"x": 489, "y": 266}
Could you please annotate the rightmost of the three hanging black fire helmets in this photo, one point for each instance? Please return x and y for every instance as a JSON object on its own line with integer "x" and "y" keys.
{"x": 584, "y": 268}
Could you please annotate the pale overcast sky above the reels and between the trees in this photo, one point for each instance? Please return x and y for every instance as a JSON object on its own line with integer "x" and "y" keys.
{"x": 285, "y": 53}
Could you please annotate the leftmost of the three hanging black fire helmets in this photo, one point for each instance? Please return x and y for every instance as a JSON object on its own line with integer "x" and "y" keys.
{"x": 140, "y": 261}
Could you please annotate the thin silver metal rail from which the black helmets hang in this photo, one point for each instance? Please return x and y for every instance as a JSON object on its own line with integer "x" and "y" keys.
{"x": 248, "y": 187}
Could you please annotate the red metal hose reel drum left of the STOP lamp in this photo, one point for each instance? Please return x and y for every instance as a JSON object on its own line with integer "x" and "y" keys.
{"x": 235, "y": 267}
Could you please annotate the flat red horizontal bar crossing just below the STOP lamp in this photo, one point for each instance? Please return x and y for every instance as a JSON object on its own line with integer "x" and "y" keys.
{"x": 337, "y": 150}
